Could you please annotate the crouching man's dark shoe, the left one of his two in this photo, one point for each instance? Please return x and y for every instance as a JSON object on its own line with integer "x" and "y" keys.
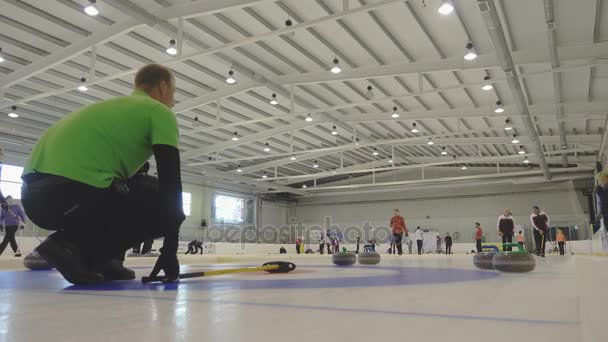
{"x": 68, "y": 261}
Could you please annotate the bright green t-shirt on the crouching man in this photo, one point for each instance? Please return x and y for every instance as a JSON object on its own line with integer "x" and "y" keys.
{"x": 107, "y": 140}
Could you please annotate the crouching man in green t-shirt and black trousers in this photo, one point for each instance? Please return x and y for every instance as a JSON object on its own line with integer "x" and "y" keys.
{"x": 77, "y": 182}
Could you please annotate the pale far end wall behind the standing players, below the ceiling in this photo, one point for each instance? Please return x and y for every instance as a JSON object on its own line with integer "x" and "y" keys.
{"x": 448, "y": 209}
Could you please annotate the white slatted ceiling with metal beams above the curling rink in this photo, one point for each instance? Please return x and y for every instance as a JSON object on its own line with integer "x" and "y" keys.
{"x": 47, "y": 47}
